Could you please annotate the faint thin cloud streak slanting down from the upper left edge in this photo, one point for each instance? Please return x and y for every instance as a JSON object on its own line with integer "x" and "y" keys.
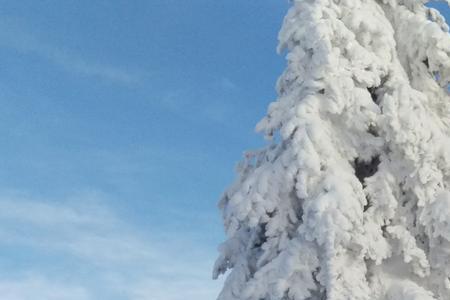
{"x": 14, "y": 36}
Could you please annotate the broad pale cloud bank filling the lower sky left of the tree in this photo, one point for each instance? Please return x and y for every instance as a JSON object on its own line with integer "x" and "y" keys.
{"x": 108, "y": 256}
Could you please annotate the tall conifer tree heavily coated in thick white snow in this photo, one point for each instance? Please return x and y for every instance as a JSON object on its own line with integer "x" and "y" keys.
{"x": 351, "y": 199}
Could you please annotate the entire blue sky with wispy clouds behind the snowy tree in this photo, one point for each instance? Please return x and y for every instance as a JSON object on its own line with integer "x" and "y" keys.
{"x": 120, "y": 125}
